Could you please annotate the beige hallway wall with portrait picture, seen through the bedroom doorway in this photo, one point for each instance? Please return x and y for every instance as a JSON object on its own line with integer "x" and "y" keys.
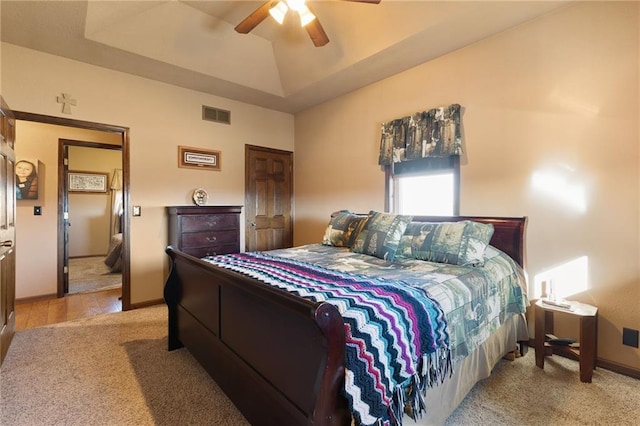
{"x": 36, "y": 236}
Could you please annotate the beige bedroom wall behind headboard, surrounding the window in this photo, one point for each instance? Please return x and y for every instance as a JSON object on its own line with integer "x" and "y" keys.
{"x": 557, "y": 97}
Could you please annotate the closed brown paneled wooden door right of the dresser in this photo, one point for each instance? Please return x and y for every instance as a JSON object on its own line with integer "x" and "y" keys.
{"x": 268, "y": 198}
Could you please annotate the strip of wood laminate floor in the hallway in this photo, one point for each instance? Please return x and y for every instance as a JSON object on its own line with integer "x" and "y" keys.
{"x": 75, "y": 306}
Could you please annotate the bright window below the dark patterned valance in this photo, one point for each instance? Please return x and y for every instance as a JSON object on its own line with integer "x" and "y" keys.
{"x": 425, "y": 187}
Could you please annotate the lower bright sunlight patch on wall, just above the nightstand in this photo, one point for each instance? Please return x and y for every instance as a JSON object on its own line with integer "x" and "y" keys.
{"x": 570, "y": 278}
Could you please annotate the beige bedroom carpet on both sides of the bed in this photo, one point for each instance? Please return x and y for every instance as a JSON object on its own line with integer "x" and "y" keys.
{"x": 115, "y": 370}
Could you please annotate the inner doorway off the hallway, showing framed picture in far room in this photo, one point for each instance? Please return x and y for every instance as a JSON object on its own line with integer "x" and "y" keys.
{"x": 93, "y": 214}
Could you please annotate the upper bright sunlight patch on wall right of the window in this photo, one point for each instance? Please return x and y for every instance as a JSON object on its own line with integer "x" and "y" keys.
{"x": 560, "y": 185}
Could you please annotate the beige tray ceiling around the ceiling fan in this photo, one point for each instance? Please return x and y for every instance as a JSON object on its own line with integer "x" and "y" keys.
{"x": 193, "y": 44}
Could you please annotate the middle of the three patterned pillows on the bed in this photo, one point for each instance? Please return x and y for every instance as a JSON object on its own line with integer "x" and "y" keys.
{"x": 381, "y": 235}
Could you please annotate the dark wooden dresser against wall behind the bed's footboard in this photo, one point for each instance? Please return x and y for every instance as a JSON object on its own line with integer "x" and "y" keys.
{"x": 205, "y": 230}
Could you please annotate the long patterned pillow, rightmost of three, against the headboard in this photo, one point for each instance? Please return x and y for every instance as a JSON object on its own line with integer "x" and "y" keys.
{"x": 457, "y": 243}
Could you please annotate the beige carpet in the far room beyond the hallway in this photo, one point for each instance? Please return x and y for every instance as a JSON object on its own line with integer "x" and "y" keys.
{"x": 87, "y": 274}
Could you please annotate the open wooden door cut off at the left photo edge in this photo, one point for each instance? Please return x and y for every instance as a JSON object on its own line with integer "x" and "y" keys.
{"x": 7, "y": 229}
